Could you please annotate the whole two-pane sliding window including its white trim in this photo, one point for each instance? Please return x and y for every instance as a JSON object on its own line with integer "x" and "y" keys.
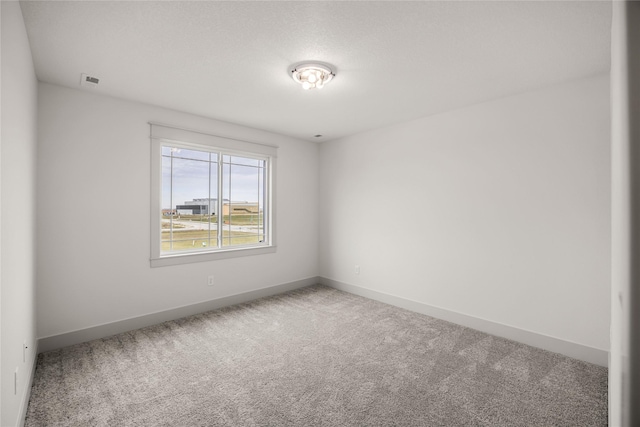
{"x": 211, "y": 198}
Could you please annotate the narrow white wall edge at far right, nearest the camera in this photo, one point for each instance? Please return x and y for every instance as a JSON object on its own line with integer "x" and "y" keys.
{"x": 624, "y": 369}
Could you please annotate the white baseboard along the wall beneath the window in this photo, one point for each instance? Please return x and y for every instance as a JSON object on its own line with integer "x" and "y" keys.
{"x": 101, "y": 331}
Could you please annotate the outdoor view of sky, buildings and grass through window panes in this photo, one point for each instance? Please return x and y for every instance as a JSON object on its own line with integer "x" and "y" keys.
{"x": 212, "y": 199}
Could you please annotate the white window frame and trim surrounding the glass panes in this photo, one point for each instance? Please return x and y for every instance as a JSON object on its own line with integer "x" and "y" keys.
{"x": 170, "y": 135}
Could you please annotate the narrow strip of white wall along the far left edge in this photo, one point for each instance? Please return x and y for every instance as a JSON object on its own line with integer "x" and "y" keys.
{"x": 17, "y": 190}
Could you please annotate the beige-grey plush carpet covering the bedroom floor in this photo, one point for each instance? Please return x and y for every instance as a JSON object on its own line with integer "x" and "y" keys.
{"x": 313, "y": 357}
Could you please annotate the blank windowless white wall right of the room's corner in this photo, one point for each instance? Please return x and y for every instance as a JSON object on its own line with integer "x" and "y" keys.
{"x": 498, "y": 211}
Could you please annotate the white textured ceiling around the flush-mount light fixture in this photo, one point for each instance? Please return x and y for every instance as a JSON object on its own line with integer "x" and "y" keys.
{"x": 395, "y": 60}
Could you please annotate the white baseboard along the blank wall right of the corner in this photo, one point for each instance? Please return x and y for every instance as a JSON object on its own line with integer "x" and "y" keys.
{"x": 577, "y": 351}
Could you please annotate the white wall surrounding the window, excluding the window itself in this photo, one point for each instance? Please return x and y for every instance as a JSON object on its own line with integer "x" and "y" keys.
{"x": 94, "y": 207}
